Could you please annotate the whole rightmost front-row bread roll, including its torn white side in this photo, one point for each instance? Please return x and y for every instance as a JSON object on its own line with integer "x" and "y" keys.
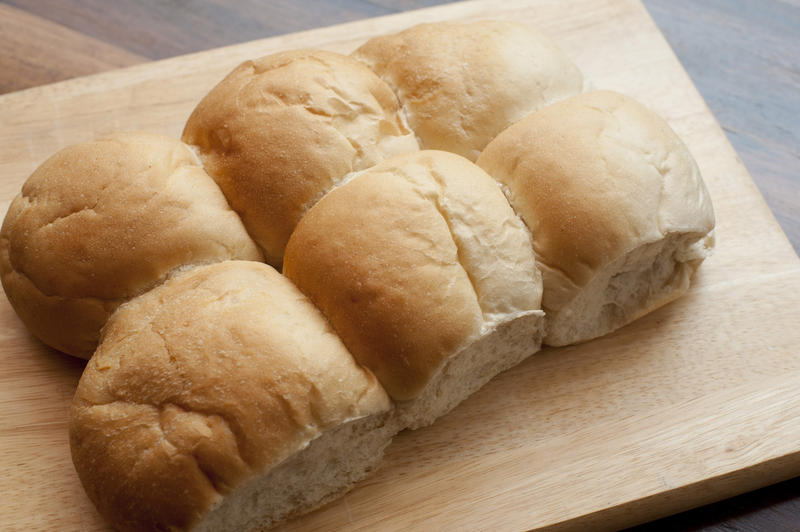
{"x": 619, "y": 213}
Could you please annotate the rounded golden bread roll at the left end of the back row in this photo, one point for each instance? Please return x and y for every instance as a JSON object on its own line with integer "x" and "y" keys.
{"x": 103, "y": 221}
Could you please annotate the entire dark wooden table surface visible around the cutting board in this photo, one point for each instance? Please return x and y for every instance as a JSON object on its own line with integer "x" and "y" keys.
{"x": 744, "y": 57}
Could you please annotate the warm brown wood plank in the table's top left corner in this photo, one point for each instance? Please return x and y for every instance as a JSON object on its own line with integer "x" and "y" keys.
{"x": 37, "y": 51}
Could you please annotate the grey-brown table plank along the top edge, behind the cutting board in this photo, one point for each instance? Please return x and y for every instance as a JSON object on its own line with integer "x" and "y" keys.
{"x": 159, "y": 29}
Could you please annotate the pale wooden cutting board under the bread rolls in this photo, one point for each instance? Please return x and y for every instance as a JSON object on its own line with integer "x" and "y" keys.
{"x": 696, "y": 402}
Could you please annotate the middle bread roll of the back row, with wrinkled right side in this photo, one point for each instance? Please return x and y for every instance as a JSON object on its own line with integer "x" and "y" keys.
{"x": 280, "y": 131}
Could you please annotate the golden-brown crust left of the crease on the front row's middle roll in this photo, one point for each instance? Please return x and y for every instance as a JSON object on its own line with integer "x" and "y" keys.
{"x": 377, "y": 258}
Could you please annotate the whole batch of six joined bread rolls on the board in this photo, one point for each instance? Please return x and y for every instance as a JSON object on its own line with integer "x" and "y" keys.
{"x": 440, "y": 203}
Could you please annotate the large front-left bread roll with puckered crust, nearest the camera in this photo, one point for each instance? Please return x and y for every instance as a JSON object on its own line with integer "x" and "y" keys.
{"x": 222, "y": 400}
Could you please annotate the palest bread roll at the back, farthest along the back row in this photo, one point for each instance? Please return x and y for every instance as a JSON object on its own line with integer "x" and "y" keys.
{"x": 460, "y": 84}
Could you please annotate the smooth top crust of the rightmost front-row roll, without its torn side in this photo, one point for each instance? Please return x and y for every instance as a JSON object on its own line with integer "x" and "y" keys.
{"x": 594, "y": 177}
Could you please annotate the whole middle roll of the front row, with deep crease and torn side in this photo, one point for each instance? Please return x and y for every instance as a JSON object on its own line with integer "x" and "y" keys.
{"x": 427, "y": 275}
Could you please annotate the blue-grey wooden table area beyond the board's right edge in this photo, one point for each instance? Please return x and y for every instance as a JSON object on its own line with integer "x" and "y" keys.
{"x": 744, "y": 57}
